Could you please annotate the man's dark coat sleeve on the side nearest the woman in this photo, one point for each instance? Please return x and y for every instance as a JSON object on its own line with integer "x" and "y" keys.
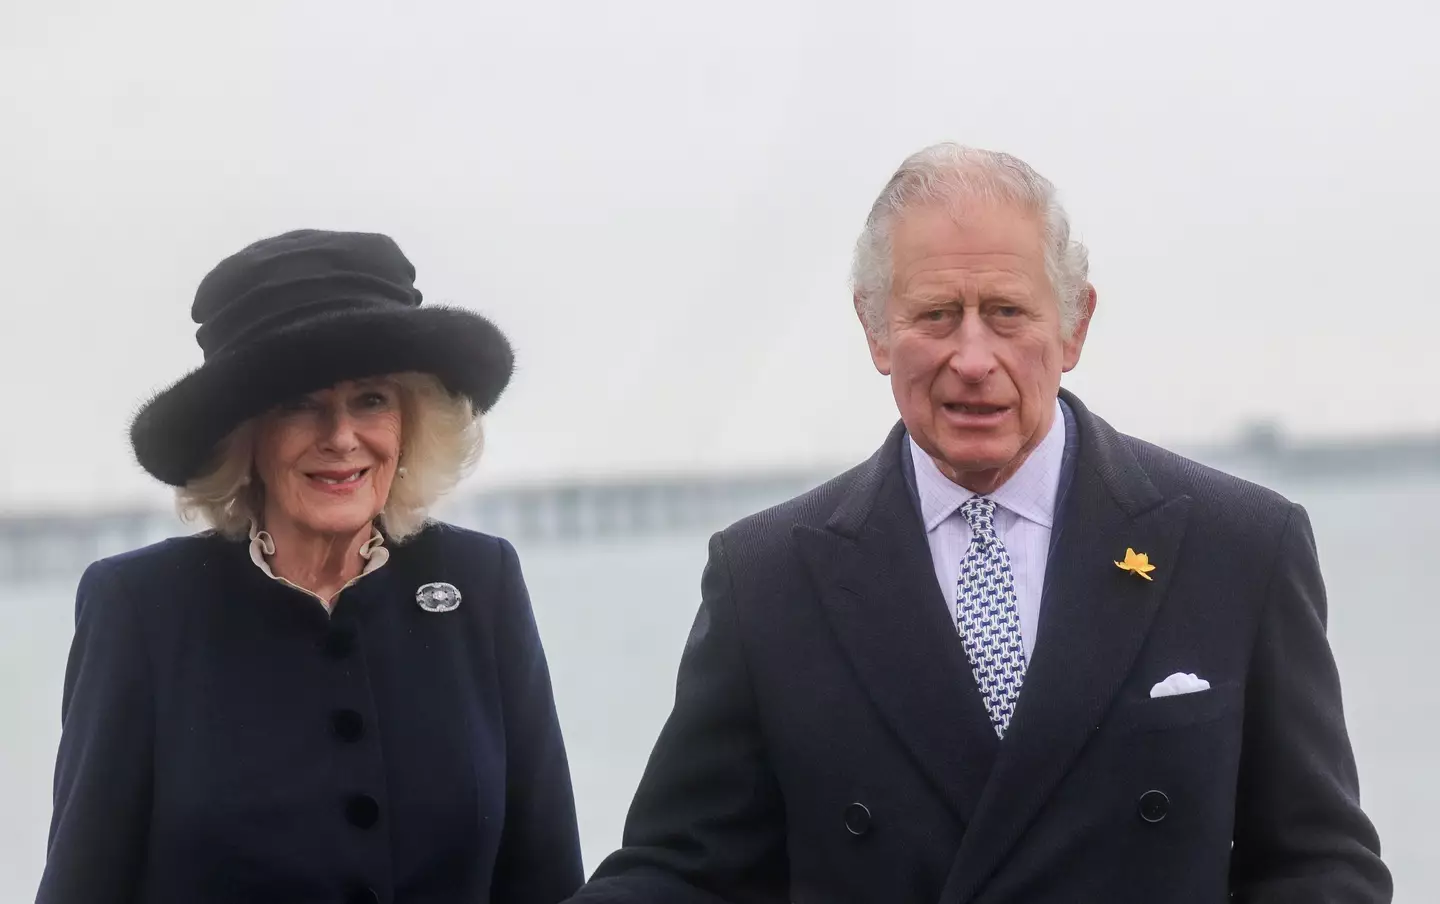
{"x": 708, "y": 821}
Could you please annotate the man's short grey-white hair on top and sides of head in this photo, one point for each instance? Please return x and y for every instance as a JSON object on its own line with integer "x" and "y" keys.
{"x": 950, "y": 175}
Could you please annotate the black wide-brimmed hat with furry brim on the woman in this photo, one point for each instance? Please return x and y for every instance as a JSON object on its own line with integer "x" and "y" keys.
{"x": 299, "y": 313}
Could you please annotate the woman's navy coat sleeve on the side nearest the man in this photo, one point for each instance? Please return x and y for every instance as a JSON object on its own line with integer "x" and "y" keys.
{"x": 539, "y": 860}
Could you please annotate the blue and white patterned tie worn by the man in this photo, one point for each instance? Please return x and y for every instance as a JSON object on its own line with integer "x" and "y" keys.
{"x": 989, "y": 620}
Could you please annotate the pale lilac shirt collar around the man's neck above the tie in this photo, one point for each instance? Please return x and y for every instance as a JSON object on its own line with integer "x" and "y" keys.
{"x": 1030, "y": 493}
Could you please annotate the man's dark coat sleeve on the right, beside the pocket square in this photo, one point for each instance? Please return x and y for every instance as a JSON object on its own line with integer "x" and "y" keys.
{"x": 1301, "y": 834}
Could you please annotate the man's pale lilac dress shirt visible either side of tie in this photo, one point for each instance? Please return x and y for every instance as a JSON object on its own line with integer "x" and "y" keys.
{"x": 1025, "y": 516}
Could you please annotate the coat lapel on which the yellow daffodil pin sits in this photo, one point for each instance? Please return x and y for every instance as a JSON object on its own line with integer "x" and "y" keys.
{"x": 1092, "y": 627}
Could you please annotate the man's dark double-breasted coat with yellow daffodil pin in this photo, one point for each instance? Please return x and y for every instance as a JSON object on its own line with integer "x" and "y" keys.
{"x": 829, "y": 742}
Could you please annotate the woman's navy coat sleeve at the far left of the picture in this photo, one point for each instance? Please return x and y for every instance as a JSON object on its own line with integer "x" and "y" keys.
{"x": 104, "y": 767}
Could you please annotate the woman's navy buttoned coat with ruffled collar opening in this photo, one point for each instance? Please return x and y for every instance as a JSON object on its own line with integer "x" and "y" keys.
{"x": 228, "y": 741}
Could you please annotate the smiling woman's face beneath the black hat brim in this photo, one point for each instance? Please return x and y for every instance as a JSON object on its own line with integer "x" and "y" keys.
{"x": 328, "y": 460}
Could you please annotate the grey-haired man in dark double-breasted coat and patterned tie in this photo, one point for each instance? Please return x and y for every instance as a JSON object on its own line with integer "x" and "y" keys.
{"x": 1016, "y": 657}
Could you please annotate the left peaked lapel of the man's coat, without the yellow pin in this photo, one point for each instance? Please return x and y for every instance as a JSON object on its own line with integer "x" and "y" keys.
{"x": 878, "y": 588}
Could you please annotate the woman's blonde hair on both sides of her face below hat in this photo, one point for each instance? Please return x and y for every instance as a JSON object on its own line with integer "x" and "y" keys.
{"x": 441, "y": 440}
